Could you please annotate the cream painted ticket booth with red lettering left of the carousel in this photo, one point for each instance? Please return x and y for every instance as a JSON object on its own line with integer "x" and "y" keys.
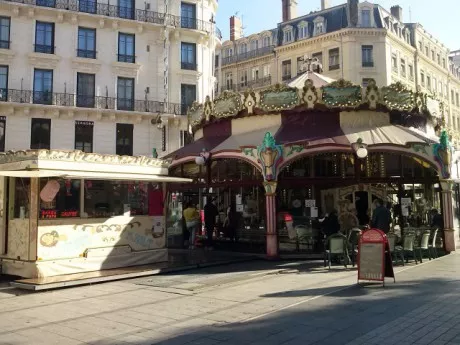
{"x": 67, "y": 212}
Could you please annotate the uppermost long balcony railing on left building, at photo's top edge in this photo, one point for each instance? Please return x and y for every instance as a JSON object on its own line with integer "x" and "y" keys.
{"x": 147, "y": 16}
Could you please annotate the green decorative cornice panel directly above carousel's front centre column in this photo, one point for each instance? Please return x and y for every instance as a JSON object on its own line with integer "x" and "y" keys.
{"x": 278, "y": 97}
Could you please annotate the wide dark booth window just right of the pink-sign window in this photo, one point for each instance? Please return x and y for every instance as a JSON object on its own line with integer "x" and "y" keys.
{"x": 104, "y": 199}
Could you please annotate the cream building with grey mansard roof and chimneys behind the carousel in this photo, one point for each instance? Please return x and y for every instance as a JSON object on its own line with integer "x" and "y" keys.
{"x": 355, "y": 41}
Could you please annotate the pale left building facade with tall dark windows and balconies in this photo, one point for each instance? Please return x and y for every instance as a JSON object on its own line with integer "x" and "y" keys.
{"x": 111, "y": 79}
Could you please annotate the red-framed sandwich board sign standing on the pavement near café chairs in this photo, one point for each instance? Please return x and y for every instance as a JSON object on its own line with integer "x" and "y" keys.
{"x": 374, "y": 257}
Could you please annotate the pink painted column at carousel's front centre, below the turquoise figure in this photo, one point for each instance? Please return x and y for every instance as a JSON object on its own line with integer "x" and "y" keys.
{"x": 271, "y": 231}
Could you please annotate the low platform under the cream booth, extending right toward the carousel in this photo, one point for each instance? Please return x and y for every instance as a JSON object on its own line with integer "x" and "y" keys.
{"x": 179, "y": 260}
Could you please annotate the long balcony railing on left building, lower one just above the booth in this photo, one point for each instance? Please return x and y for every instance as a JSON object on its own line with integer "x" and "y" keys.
{"x": 88, "y": 101}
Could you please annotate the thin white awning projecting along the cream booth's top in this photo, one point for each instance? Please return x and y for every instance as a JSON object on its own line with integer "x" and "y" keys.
{"x": 93, "y": 175}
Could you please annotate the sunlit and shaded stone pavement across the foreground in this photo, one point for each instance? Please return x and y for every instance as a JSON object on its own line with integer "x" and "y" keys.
{"x": 247, "y": 303}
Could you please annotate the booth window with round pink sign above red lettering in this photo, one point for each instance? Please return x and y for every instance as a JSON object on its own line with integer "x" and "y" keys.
{"x": 59, "y": 198}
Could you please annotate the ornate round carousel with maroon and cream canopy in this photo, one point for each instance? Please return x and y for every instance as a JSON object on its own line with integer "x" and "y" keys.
{"x": 297, "y": 154}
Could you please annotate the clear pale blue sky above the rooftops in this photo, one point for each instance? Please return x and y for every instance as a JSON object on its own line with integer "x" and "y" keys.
{"x": 441, "y": 18}
